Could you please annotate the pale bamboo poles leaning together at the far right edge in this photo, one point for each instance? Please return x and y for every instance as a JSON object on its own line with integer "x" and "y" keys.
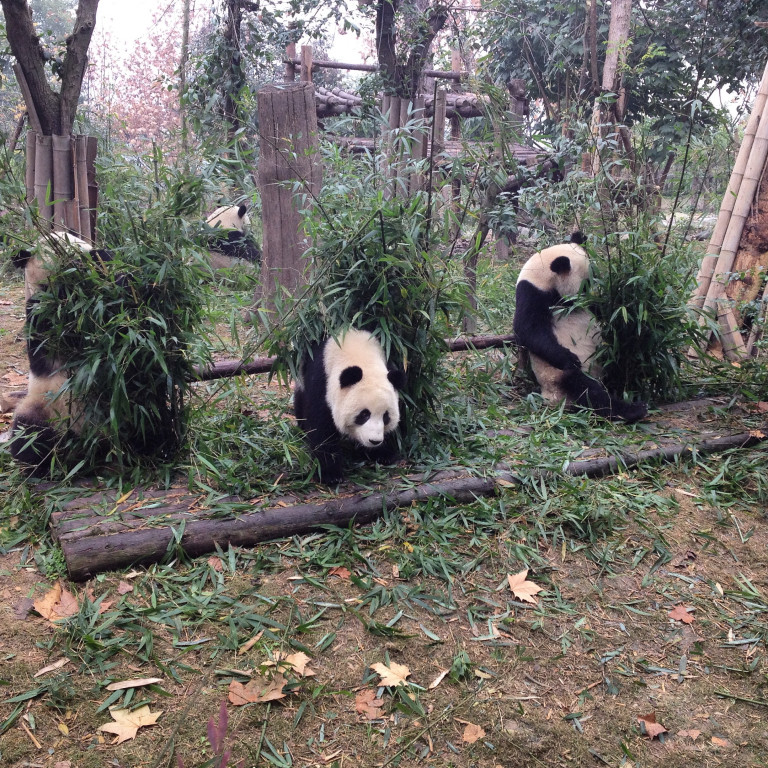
{"x": 717, "y": 268}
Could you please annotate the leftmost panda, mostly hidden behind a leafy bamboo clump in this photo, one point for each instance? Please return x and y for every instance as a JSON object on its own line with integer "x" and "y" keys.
{"x": 47, "y": 412}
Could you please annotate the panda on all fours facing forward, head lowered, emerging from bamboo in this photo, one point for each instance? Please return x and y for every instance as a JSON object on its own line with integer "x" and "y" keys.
{"x": 346, "y": 390}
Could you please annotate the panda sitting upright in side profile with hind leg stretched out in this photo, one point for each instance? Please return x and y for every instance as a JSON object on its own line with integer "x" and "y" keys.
{"x": 562, "y": 345}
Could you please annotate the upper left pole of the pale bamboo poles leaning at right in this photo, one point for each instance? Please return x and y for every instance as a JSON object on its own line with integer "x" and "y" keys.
{"x": 709, "y": 262}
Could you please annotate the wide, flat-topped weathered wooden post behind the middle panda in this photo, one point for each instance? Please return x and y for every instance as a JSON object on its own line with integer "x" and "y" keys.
{"x": 288, "y": 132}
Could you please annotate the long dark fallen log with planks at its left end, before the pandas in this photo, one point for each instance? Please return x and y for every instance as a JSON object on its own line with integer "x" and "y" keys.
{"x": 139, "y": 532}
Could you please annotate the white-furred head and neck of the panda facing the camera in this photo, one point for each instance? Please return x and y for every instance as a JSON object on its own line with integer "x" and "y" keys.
{"x": 364, "y": 403}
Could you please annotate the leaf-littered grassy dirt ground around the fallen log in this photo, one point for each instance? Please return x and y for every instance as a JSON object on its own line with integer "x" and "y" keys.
{"x": 654, "y": 601}
